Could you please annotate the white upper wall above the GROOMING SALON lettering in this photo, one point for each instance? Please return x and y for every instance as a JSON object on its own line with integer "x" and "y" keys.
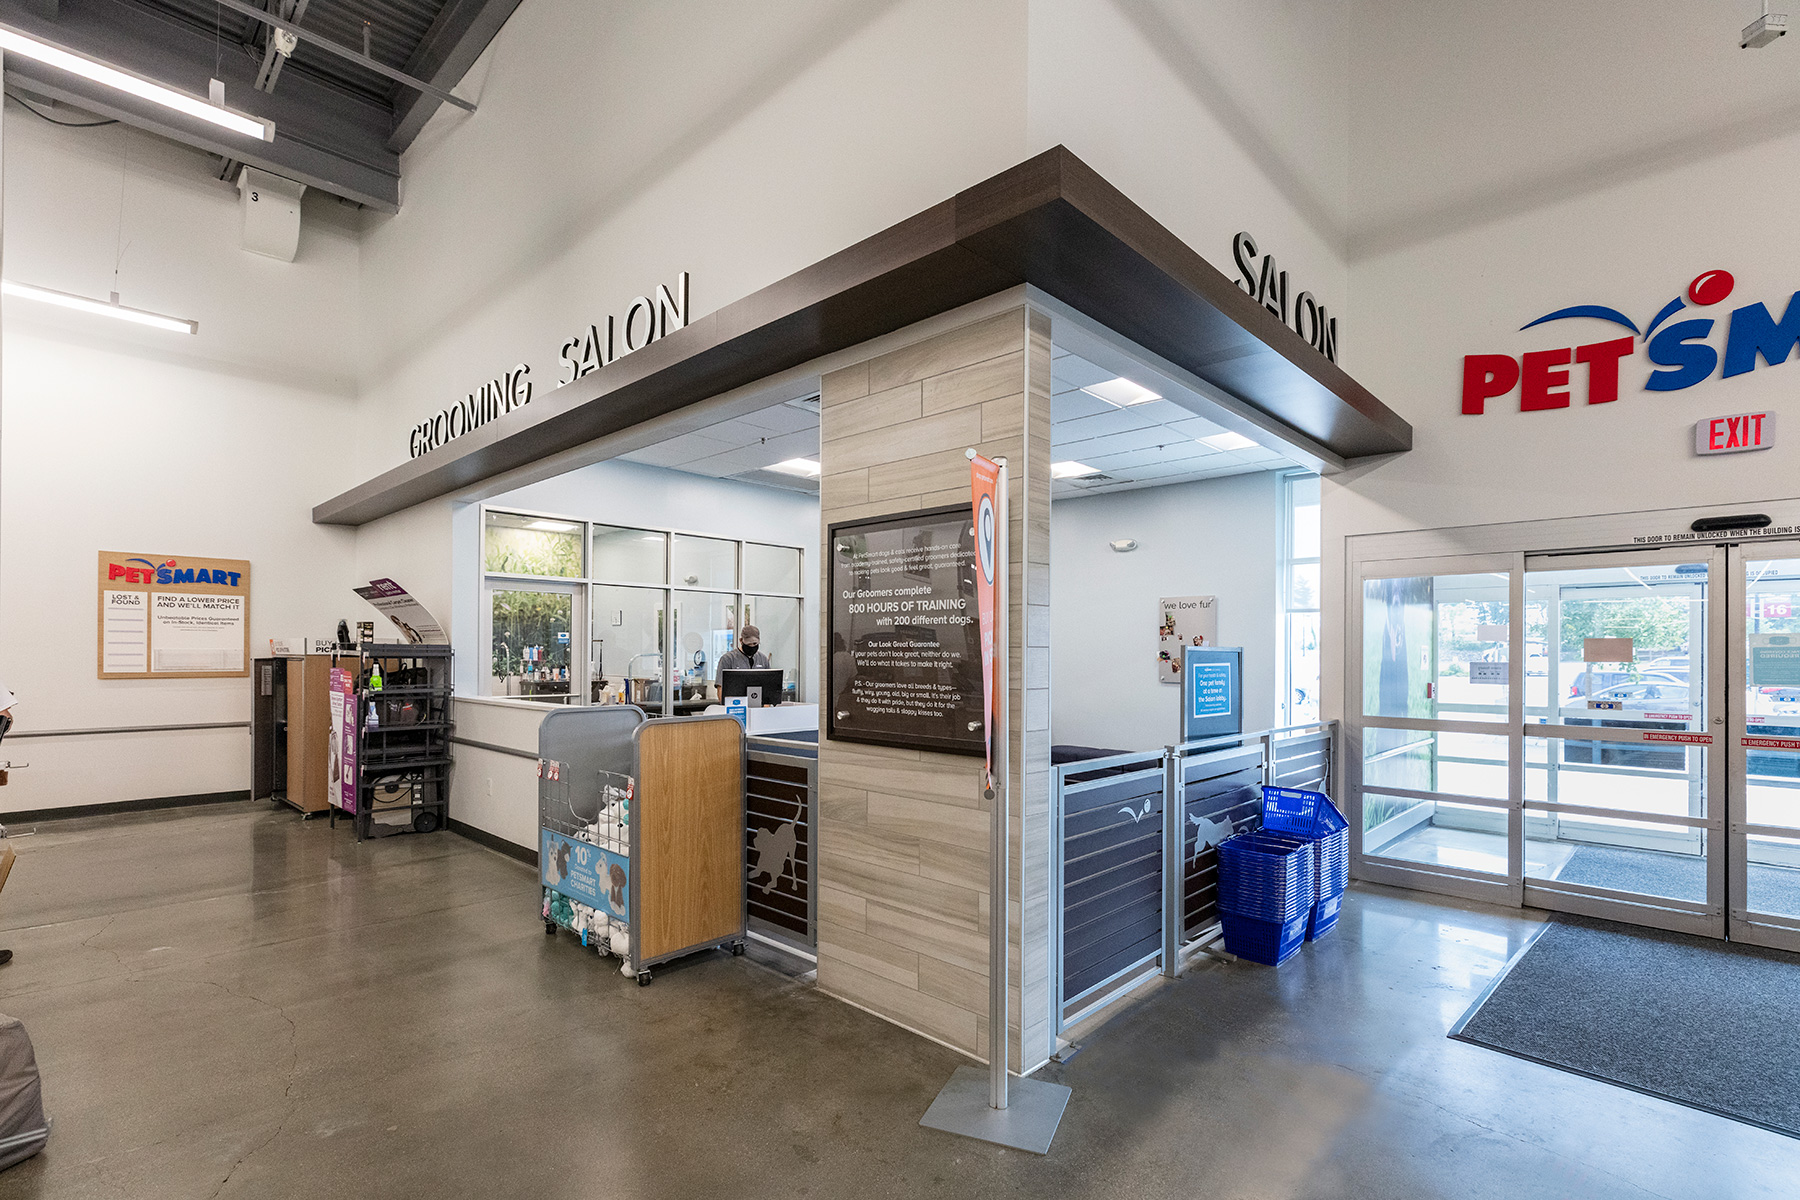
{"x": 620, "y": 145}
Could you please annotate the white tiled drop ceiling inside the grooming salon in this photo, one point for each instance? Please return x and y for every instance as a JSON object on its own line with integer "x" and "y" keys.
{"x": 1146, "y": 445}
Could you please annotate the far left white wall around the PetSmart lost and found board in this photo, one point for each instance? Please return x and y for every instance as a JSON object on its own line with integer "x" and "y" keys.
{"x": 118, "y": 438}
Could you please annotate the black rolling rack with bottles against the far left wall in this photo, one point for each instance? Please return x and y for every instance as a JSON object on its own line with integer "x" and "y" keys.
{"x": 395, "y": 740}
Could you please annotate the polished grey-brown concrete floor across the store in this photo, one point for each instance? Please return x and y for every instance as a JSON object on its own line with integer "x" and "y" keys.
{"x": 231, "y": 1003}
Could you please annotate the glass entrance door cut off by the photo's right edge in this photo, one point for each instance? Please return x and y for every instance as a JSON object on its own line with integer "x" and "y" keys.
{"x": 1765, "y": 753}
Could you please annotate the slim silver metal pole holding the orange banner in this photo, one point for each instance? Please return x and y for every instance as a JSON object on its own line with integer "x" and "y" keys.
{"x": 1000, "y": 848}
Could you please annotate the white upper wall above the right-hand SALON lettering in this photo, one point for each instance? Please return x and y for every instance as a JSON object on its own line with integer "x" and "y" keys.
{"x": 1216, "y": 116}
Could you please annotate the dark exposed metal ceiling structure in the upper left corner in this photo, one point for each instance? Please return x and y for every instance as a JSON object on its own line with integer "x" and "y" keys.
{"x": 354, "y": 93}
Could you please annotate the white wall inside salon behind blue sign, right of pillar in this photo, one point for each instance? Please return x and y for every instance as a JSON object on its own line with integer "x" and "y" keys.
{"x": 1219, "y": 539}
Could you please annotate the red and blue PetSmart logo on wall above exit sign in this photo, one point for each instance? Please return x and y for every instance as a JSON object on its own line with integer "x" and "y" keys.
{"x": 1678, "y": 350}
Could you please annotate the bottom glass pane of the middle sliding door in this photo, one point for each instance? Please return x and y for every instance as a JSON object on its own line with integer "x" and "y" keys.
{"x": 1623, "y": 855}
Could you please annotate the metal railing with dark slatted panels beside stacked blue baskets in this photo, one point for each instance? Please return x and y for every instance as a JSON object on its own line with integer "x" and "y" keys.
{"x": 1137, "y": 873}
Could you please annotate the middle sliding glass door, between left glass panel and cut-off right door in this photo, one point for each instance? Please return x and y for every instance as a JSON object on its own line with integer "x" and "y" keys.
{"x": 1624, "y": 812}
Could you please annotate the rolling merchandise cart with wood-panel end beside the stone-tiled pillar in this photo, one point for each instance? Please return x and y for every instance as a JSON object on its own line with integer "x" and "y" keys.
{"x": 642, "y": 834}
